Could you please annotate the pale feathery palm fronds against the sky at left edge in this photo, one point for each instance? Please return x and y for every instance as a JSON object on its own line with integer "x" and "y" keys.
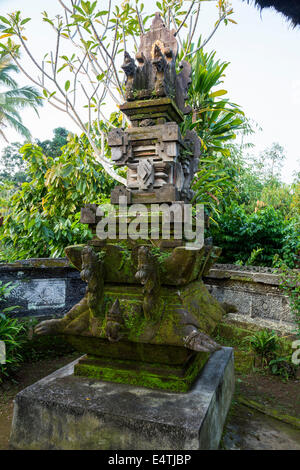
{"x": 14, "y": 99}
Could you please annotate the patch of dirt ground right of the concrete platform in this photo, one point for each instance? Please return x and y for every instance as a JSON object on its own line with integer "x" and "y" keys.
{"x": 249, "y": 429}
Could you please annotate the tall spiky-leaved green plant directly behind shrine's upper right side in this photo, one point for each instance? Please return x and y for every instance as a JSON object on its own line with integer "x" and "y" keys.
{"x": 216, "y": 122}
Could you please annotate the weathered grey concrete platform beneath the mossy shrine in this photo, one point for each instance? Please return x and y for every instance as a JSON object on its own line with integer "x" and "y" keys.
{"x": 66, "y": 412}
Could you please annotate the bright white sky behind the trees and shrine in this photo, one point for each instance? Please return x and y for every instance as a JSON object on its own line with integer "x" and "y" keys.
{"x": 263, "y": 77}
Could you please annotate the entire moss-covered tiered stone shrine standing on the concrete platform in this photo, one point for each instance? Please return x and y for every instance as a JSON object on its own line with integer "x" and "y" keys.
{"x": 146, "y": 317}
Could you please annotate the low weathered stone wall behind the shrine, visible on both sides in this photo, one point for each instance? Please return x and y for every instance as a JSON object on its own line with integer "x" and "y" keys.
{"x": 50, "y": 287}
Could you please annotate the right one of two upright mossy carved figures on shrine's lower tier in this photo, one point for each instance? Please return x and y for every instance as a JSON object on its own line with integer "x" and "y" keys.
{"x": 148, "y": 276}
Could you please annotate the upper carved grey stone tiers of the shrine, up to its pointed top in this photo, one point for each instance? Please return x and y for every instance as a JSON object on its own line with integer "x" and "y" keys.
{"x": 153, "y": 149}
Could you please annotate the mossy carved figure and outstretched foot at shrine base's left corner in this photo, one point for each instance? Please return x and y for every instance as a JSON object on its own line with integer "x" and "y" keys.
{"x": 81, "y": 317}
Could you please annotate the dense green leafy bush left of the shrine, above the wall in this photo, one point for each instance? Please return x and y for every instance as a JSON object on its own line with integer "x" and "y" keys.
{"x": 44, "y": 213}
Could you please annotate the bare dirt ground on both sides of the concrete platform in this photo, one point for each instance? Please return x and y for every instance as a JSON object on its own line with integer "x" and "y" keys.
{"x": 245, "y": 428}
